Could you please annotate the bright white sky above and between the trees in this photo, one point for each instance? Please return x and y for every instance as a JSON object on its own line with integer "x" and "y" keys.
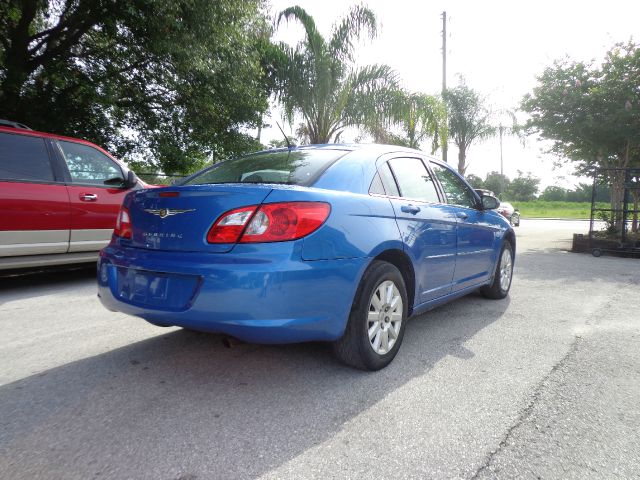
{"x": 497, "y": 46}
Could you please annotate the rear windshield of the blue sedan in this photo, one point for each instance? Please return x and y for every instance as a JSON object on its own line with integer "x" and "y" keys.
{"x": 297, "y": 167}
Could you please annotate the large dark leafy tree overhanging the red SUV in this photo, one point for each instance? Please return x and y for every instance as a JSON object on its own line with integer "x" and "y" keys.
{"x": 172, "y": 83}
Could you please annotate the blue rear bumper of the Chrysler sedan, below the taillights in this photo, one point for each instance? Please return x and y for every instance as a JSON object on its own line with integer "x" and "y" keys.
{"x": 254, "y": 296}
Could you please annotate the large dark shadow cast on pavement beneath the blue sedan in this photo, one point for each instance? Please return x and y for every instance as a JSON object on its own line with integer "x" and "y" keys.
{"x": 180, "y": 405}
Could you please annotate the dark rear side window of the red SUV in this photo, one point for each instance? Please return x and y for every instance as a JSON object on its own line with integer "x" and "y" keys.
{"x": 24, "y": 157}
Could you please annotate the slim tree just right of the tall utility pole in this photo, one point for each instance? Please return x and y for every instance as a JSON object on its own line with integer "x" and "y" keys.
{"x": 469, "y": 120}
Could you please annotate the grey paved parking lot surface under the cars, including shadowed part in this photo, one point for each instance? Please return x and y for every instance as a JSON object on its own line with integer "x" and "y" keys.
{"x": 544, "y": 384}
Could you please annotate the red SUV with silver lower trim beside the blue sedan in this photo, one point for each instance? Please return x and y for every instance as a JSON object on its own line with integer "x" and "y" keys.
{"x": 59, "y": 197}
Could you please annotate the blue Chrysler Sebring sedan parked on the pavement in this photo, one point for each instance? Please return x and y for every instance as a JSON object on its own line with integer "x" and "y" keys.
{"x": 338, "y": 243}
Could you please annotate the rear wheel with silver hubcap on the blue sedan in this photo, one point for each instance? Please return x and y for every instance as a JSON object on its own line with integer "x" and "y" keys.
{"x": 376, "y": 324}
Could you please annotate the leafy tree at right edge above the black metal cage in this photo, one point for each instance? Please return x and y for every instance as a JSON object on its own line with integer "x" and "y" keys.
{"x": 591, "y": 113}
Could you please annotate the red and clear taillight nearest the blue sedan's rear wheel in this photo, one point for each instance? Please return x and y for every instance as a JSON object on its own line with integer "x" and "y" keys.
{"x": 272, "y": 222}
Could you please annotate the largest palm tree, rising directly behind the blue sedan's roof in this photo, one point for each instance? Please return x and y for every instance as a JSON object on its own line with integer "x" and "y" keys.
{"x": 318, "y": 81}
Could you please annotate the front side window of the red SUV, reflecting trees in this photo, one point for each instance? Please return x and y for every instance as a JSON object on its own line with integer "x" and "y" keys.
{"x": 88, "y": 165}
